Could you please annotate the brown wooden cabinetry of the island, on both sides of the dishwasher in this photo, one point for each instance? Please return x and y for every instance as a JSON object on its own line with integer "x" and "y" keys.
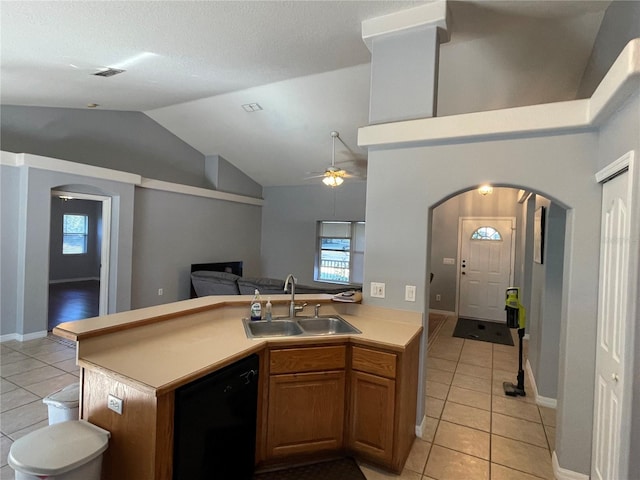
{"x": 314, "y": 400}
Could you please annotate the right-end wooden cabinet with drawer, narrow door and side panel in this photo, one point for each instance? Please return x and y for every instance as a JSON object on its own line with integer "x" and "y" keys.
{"x": 383, "y": 400}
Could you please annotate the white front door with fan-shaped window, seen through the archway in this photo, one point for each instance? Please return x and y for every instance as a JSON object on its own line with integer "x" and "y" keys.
{"x": 486, "y": 266}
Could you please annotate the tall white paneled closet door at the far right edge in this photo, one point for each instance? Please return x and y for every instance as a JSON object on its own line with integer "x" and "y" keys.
{"x": 610, "y": 454}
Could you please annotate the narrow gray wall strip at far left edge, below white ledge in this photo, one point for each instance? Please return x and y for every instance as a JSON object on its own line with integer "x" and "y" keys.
{"x": 9, "y": 214}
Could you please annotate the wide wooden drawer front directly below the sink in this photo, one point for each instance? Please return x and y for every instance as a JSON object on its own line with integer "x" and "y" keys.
{"x": 310, "y": 359}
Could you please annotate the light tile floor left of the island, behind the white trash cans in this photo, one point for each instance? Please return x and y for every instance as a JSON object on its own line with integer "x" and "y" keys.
{"x": 29, "y": 372}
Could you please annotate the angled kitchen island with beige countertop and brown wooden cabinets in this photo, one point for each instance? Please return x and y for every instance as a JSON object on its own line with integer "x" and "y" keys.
{"x": 143, "y": 356}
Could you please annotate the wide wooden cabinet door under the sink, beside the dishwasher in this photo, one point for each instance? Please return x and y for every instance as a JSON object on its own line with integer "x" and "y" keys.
{"x": 306, "y": 413}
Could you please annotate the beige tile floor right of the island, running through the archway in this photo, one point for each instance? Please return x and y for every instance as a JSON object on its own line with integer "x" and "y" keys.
{"x": 474, "y": 431}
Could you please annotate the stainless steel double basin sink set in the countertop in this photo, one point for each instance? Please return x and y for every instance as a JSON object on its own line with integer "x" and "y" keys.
{"x": 299, "y": 326}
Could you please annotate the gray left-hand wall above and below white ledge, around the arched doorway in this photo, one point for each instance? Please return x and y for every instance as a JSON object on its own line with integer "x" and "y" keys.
{"x": 130, "y": 142}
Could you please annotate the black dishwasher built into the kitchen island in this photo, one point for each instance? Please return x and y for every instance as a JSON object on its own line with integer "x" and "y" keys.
{"x": 215, "y": 424}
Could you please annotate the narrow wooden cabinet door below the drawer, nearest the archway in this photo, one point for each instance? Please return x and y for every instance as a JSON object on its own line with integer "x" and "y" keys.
{"x": 372, "y": 416}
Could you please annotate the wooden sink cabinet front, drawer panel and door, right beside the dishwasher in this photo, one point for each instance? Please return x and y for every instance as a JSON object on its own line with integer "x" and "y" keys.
{"x": 305, "y": 402}
